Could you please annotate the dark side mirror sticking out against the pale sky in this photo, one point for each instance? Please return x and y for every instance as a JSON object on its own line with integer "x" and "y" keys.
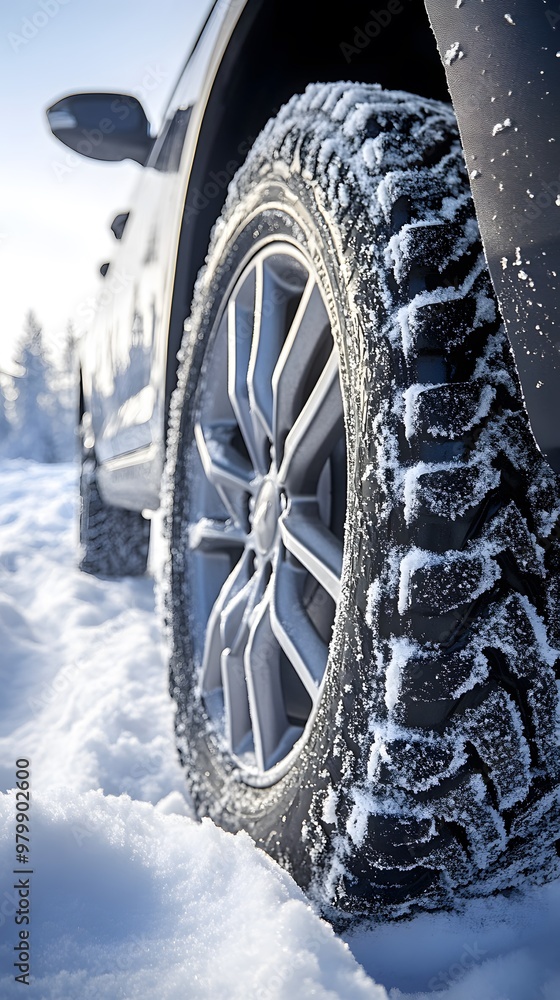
{"x": 102, "y": 126}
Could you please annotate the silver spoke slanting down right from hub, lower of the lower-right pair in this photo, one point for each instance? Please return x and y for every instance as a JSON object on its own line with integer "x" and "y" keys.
{"x": 296, "y": 635}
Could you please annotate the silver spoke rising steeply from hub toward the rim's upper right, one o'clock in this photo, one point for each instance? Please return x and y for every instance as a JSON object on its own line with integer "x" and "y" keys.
{"x": 301, "y": 345}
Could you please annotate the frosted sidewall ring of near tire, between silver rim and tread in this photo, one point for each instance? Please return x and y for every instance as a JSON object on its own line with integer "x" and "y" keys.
{"x": 275, "y": 814}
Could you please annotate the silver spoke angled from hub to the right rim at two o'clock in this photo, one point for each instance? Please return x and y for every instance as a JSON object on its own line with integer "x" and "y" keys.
{"x": 314, "y": 434}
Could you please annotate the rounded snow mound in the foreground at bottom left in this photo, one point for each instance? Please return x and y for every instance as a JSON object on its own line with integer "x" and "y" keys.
{"x": 130, "y": 902}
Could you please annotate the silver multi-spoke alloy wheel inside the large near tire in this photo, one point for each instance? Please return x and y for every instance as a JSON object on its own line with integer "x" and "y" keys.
{"x": 268, "y": 475}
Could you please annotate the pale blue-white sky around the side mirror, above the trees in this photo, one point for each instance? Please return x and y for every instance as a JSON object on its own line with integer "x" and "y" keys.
{"x": 56, "y": 207}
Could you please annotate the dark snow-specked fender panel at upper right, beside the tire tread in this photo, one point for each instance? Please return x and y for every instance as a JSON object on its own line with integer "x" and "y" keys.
{"x": 503, "y": 75}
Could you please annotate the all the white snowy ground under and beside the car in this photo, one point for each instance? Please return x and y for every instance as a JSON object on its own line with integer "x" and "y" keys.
{"x": 130, "y": 897}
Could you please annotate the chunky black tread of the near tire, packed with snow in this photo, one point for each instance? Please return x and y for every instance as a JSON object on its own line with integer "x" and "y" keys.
{"x": 441, "y": 777}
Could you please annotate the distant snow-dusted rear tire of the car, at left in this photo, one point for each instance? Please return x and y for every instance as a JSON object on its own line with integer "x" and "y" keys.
{"x": 113, "y": 541}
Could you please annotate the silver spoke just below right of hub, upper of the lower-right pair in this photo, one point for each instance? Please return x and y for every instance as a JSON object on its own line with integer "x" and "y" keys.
{"x": 311, "y": 542}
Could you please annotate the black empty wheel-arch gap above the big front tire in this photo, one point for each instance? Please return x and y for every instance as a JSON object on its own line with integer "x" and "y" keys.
{"x": 386, "y": 45}
